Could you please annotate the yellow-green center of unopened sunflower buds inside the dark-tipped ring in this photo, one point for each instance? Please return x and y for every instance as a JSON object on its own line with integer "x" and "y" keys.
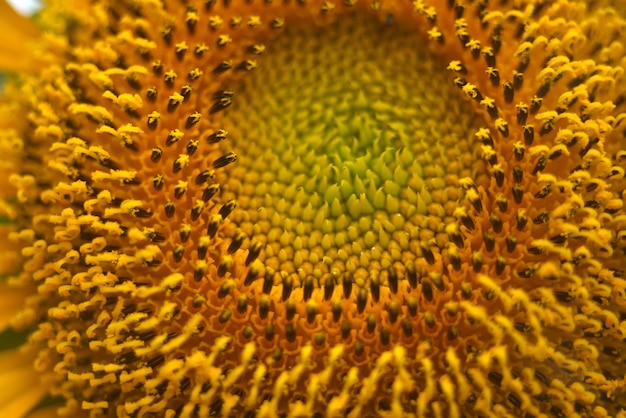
{"x": 351, "y": 145}
